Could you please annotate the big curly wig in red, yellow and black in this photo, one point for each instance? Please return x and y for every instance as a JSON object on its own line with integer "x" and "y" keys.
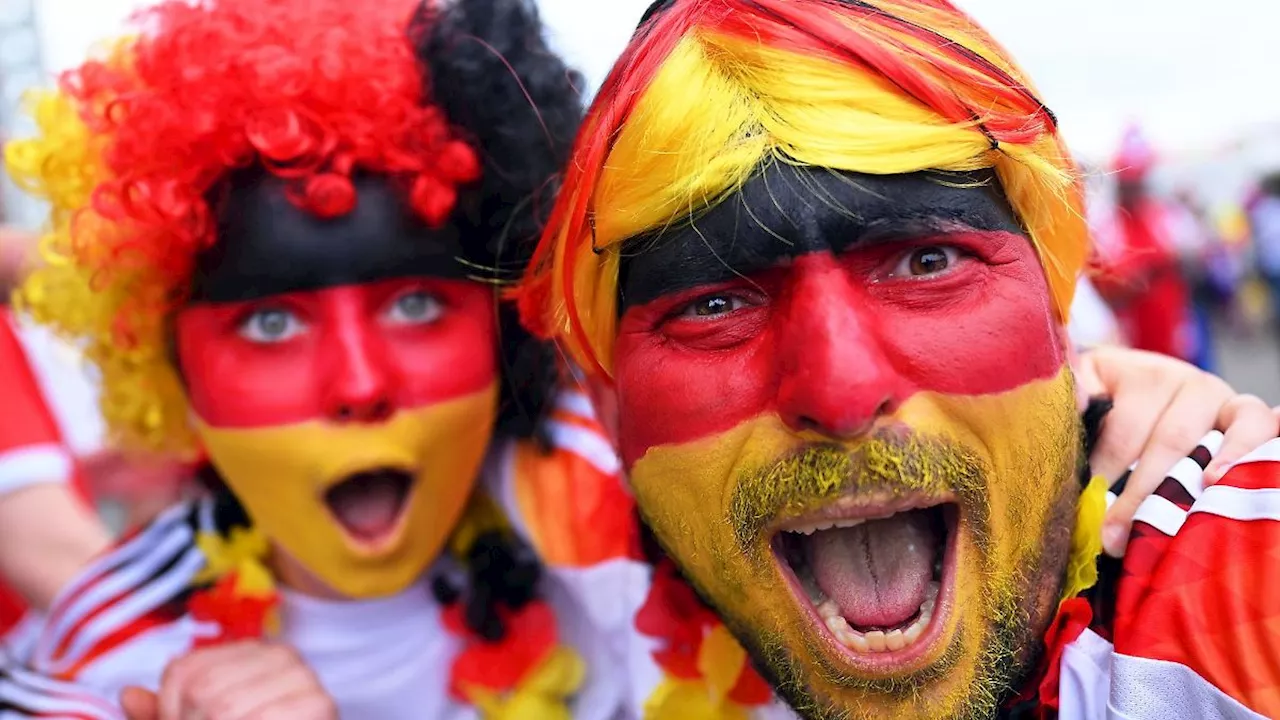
{"x": 135, "y": 145}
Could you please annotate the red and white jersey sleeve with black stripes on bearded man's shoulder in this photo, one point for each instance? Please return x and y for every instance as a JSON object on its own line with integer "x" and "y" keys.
{"x": 1197, "y": 626}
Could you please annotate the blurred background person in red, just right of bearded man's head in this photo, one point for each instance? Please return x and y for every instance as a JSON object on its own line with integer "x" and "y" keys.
{"x": 1137, "y": 250}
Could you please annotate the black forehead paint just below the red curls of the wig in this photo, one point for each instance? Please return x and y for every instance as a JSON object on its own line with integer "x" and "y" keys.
{"x": 268, "y": 245}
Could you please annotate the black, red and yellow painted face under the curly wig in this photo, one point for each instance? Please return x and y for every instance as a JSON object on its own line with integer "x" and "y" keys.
{"x": 344, "y": 381}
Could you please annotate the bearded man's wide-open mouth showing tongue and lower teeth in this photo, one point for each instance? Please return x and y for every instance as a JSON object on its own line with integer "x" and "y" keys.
{"x": 877, "y": 584}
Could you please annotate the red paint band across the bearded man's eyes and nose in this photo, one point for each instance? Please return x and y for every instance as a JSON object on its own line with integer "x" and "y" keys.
{"x": 831, "y": 343}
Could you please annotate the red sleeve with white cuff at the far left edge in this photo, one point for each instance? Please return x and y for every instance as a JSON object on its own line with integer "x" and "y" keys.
{"x": 31, "y": 444}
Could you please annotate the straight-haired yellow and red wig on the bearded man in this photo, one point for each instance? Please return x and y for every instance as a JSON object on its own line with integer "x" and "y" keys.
{"x": 710, "y": 92}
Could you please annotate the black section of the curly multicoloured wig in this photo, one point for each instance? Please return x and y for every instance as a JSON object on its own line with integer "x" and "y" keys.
{"x": 490, "y": 70}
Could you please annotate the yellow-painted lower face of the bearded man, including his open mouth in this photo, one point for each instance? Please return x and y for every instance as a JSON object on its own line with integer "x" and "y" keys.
{"x": 906, "y": 576}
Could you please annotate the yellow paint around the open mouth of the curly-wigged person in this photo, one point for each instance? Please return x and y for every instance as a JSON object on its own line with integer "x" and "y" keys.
{"x": 281, "y": 476}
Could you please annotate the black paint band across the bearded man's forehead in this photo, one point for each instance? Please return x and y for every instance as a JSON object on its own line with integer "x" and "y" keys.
{"x": 785, "y": 212}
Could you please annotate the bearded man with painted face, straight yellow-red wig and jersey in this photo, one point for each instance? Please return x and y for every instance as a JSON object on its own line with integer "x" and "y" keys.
{"x": 816, "y": 259}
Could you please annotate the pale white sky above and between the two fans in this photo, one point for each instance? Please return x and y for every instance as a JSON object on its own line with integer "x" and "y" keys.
{"x": 1194, "y": 75}
